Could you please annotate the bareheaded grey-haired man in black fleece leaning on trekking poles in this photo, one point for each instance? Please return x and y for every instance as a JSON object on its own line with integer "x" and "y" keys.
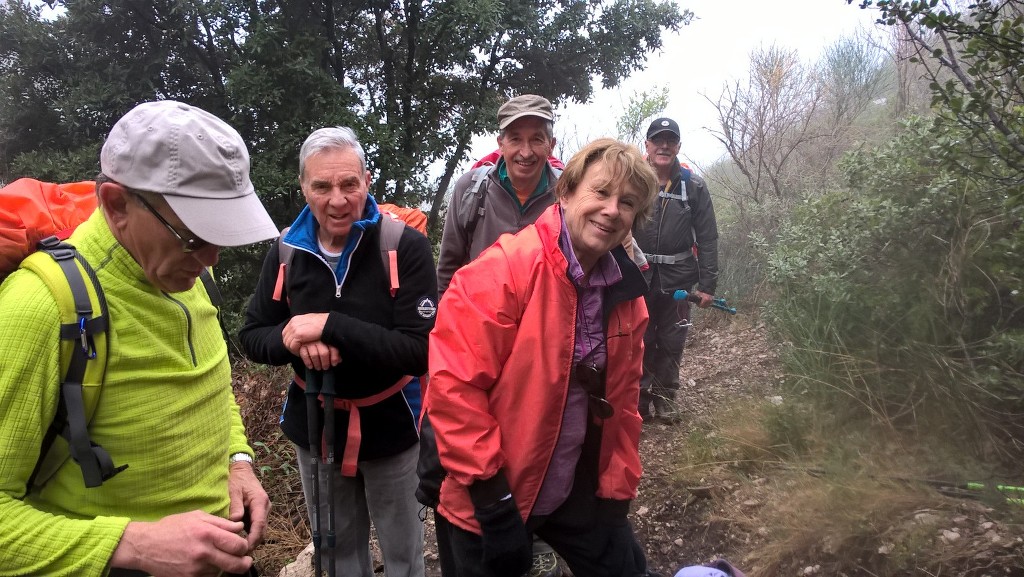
{"x": 327, "y": 310}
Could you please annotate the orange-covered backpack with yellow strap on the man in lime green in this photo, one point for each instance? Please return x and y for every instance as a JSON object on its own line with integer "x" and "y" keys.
{"x": 35, "y": 219}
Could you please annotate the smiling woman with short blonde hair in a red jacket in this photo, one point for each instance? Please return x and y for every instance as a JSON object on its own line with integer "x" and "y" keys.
{"x": 535, "y": 364}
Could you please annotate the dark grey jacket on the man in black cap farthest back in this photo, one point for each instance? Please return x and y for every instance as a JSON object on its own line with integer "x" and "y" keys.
{"x": 671, "y": 233}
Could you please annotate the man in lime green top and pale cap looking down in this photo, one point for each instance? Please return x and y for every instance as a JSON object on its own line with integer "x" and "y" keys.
{"x": 175, "y": 188}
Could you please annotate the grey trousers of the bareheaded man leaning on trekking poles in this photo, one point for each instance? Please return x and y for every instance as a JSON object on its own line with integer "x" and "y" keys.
{"x": 382, "y": 491}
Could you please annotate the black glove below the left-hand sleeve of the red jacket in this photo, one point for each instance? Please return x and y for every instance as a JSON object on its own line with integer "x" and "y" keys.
{"x": 507, "y": 547}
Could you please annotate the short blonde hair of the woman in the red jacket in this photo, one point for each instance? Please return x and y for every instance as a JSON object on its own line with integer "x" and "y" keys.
{"x": 625, "y": 166}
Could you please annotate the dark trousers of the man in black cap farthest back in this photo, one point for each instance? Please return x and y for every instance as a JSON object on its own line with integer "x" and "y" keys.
{"x": 663, "y": 349}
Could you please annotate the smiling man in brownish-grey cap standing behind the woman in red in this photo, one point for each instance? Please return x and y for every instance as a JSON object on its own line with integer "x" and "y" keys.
{"x": 487, "y": 203}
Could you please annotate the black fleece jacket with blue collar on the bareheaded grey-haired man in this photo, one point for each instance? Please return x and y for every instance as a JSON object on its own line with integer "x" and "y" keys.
{"x": 380, "y": 339}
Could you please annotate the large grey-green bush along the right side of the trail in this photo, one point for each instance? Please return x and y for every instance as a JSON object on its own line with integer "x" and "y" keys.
{"x": 902, "y": 294}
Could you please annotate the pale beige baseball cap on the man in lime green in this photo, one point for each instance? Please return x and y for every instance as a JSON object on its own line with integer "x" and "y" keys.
{"x": 198, "y": 163}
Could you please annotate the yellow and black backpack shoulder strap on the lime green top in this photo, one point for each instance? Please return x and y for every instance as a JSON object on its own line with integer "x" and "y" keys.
{"x": 83, "y": 360}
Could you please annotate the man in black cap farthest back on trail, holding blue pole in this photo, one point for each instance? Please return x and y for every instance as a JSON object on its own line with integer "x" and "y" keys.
{"x": 680, "y": 242}
